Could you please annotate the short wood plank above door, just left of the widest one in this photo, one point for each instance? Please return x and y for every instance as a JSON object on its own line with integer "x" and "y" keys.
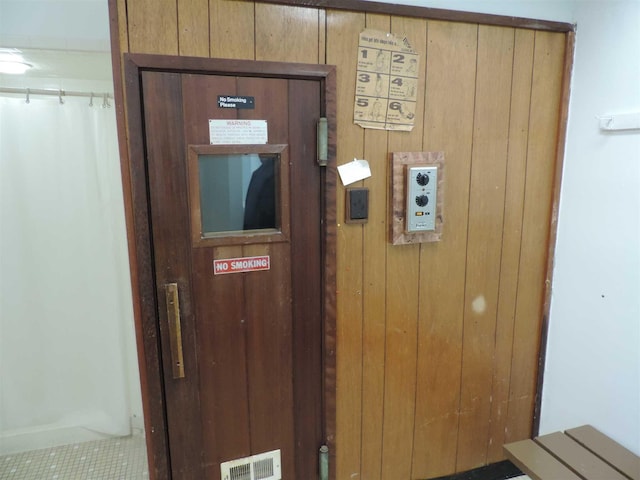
{"x": 231, "y": 29}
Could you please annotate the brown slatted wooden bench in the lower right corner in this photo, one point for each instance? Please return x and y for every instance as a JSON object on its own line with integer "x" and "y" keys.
{"x": 581, "y": 453}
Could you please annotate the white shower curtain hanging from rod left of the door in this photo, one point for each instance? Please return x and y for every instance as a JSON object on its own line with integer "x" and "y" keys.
{"x": 65, "y": 305}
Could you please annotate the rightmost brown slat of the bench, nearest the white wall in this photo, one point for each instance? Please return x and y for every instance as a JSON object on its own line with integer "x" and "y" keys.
{"x": 609, "y": 450}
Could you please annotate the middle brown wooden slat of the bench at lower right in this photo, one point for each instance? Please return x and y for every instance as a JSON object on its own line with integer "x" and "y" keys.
{"x": 578, "y": 458}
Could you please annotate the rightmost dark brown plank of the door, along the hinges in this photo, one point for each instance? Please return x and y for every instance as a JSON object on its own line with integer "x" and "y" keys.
{"x": 306, "y": 176}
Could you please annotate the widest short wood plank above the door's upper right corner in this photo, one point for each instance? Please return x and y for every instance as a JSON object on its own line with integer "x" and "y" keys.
{"x": 286, "y": 34}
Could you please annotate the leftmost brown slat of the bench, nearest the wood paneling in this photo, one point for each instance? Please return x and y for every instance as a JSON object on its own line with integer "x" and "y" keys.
{"x": 536, "y": 462}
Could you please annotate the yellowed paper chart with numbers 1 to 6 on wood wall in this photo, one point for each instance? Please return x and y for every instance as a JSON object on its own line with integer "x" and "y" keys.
{"x": 386, "y": 82}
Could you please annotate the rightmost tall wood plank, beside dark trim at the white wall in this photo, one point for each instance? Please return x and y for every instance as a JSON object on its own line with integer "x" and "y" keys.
{"x": 541, "y": 157}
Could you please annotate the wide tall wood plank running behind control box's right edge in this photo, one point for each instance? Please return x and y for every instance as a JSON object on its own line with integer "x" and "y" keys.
{"x": 451, "y": 62}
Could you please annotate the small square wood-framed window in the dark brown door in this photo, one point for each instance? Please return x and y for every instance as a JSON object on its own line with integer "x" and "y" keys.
{"x": 238, "y": 194}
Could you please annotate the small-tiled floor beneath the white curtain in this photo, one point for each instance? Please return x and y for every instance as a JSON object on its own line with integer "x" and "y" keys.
{"x": 122, "y": 458}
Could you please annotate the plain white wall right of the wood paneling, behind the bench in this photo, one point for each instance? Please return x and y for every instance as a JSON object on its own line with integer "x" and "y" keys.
{"x": 592, "y": 373}
